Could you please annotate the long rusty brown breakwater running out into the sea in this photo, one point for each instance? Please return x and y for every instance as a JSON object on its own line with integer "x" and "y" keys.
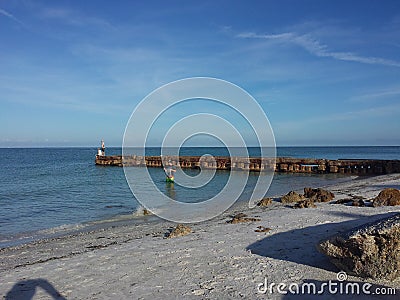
{"x": 257, "y": 164}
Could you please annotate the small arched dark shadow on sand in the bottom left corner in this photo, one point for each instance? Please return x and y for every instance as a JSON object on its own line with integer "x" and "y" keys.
{"x": 26, "y": 290}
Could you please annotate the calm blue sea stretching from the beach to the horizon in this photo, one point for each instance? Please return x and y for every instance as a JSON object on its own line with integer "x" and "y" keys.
{"x": 46, "y": 192}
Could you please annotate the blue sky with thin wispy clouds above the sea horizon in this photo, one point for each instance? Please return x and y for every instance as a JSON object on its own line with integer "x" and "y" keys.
{"x": 325, "y": 73}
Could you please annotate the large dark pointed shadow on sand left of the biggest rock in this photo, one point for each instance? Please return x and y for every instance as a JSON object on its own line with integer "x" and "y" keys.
{"x": 299, "y": 245}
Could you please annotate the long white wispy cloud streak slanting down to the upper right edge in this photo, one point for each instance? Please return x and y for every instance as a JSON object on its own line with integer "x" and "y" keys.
{"x": 315, "y": 47}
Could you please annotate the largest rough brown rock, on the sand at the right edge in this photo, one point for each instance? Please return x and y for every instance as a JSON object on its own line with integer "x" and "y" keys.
{"x": 369, "y": 251}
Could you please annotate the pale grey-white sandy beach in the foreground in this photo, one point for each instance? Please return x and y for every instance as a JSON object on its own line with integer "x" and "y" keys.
{"x": 216, "y": 260}
